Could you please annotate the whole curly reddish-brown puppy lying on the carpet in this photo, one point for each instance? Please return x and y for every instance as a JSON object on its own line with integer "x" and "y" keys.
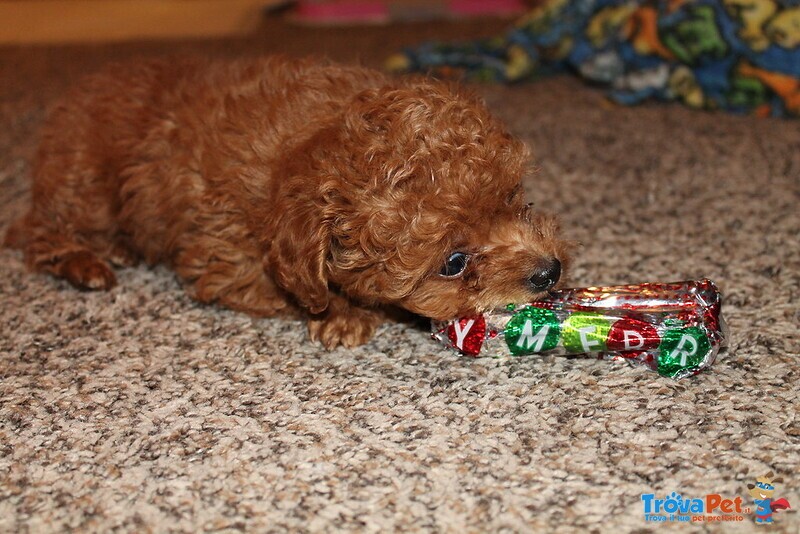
{"x": 274, "y": 186}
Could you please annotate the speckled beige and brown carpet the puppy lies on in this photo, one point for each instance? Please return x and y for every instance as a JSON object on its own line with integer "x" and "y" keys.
{"x": 140, "y": 410}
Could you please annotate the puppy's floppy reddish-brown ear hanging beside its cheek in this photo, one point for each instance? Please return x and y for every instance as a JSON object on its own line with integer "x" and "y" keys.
{"x": 300, "y": 242}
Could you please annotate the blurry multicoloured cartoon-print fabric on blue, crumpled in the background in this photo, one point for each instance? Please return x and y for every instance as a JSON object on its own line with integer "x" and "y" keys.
{"x": 739, "y": 55}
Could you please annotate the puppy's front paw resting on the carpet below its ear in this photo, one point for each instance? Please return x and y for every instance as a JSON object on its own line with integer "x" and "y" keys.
{"x": 344, "y": 325}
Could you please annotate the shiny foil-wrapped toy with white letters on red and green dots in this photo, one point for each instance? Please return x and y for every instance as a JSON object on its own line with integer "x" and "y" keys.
{"x": 675, "y": 329}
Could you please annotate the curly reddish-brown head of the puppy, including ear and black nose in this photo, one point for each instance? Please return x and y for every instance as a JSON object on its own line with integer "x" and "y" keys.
{"x": 417, "y": 202}
